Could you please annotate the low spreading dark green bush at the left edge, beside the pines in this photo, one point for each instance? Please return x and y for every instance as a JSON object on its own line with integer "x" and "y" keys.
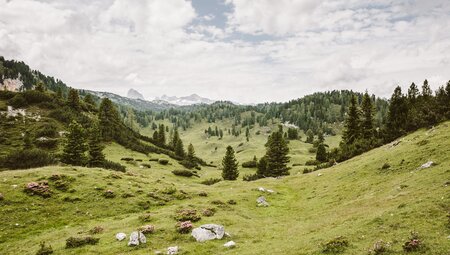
{"x": 24, "y": 159}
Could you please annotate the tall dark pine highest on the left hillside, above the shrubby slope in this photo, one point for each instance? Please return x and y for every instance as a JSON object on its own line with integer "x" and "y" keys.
{"x": 108, "y": 120}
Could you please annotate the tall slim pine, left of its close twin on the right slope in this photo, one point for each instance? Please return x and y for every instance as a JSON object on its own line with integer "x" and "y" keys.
{"x": 352, "y": 123}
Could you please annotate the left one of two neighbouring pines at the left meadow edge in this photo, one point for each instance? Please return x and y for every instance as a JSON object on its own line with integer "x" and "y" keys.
{"x": 75, "y": 145}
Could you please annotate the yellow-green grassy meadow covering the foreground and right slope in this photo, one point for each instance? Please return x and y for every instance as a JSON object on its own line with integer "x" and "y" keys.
{"x": 355, "y": 199}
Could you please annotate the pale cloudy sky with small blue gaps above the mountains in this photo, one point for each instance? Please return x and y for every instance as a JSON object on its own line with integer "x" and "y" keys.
{"x": 242, "y": 50}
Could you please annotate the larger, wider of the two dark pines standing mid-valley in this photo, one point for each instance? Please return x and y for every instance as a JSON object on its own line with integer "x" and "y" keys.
{"x": 277, "y": 155}
